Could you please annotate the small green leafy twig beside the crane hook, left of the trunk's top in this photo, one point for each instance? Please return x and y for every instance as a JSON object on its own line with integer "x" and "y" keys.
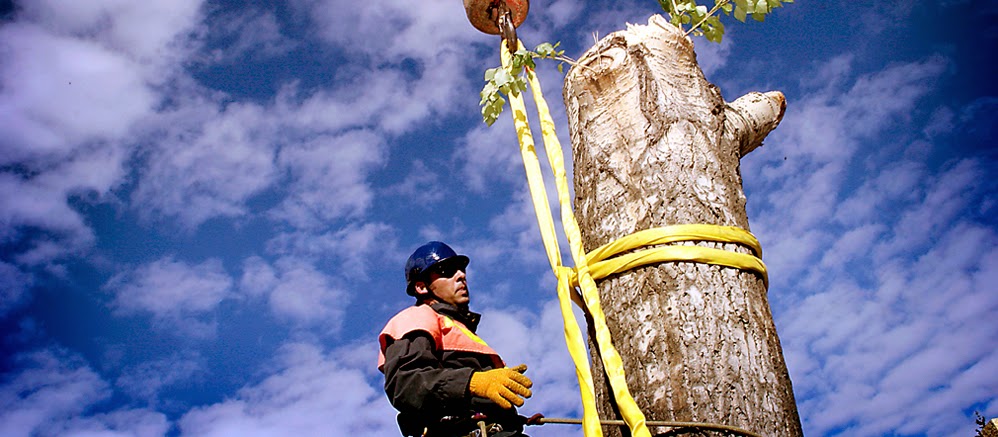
{"x": 511, "y": 80}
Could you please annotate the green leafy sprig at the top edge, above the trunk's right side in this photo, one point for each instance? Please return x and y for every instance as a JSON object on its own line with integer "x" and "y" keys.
{"x": 707, "y": 23}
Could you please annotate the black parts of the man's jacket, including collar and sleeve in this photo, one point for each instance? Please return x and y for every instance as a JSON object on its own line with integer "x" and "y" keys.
{"x": 426, "y": 385}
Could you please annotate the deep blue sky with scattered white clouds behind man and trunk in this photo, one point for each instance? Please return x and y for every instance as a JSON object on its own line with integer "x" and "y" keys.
{"x": 205, "y": 207}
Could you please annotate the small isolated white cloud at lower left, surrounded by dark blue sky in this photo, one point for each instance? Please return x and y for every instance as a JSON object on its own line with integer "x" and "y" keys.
{"x": 180, "y": 297}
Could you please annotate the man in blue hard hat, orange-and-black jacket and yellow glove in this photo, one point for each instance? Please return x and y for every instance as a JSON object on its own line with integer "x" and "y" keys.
{"x": 445, "y": 380}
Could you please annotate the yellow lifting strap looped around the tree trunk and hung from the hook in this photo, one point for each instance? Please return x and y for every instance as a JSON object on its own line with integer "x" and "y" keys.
{"x": 599, "y": 263}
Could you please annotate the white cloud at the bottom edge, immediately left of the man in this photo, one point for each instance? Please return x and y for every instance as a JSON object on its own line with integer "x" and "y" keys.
{"x": 309, "y": 393}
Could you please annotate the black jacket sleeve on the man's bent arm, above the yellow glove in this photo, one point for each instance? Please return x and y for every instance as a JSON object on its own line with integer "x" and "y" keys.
{"x": 418, "y": 384}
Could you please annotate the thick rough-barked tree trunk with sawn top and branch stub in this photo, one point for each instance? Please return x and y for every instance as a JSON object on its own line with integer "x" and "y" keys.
{"x": 655, "y": 144}
